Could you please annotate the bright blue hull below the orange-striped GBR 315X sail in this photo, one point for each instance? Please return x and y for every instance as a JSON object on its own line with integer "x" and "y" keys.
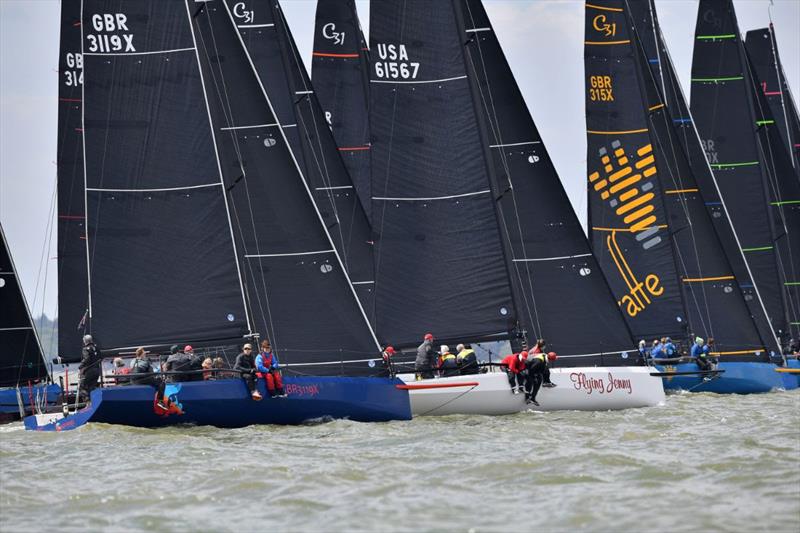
{"x": 738, "y": 378}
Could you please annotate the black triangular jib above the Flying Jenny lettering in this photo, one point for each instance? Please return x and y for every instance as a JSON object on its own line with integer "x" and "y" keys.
{"x": 559, "y": 282}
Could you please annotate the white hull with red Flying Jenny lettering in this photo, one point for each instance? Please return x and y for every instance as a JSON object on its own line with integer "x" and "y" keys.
{"x": 581, "y": 389}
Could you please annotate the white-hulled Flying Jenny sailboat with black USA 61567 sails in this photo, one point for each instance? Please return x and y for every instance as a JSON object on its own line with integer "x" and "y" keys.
{"x": 476, "y": 238}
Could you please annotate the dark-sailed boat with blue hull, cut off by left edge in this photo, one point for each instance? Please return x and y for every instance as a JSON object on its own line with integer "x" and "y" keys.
{"x": 24, "y": 374}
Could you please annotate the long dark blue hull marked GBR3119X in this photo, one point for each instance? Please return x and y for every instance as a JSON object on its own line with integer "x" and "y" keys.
{"x": 227, "y": 403}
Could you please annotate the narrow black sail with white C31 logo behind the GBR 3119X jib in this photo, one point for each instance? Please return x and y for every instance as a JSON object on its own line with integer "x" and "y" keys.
{"x": 270, "y": 44}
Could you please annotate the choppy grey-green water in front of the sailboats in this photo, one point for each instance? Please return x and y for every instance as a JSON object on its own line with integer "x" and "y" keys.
{"x": 702, "y": 461}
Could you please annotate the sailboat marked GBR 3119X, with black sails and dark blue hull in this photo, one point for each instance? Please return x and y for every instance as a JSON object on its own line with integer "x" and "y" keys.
{"x": 201, "y": 227}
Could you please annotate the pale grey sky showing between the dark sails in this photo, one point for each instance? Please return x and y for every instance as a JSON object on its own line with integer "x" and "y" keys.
{"x": 542, "y": 39}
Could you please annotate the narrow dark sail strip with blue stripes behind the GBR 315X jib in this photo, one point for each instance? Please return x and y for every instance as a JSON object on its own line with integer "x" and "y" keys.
{"x": 645, "y": 19}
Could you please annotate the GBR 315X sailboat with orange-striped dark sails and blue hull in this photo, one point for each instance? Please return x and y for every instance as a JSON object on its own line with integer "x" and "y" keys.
{"x": 651, "y": 231}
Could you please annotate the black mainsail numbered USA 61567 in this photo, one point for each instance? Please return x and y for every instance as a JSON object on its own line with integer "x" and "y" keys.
{"x": 440, "y": 260}
